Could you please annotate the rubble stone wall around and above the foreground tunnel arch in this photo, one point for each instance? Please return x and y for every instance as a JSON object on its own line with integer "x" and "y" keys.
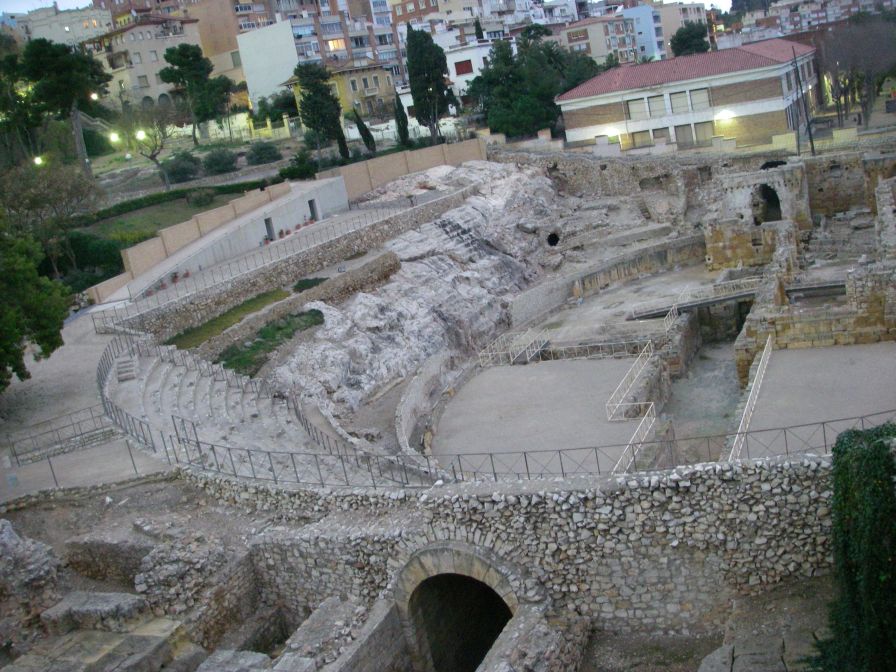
{"x": 650, "y": 551}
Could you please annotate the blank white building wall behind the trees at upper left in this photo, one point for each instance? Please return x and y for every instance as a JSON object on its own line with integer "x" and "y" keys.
{"x": 269, "y": 58}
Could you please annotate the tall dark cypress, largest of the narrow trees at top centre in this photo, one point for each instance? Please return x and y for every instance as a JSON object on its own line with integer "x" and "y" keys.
{"x": 427, "y": 71}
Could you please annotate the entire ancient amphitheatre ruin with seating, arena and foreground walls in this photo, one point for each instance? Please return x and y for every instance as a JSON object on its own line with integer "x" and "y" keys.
{"x": 553, "y": 399}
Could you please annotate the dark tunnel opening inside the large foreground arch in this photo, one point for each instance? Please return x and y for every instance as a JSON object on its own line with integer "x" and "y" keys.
{"x": 460, "y": 618}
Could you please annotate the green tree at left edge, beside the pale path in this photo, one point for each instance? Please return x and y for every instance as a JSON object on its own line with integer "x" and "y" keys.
{"x": 32, "y": 308}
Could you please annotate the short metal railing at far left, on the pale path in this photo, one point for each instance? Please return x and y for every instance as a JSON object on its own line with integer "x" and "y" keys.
{"x": 72, "y": 431}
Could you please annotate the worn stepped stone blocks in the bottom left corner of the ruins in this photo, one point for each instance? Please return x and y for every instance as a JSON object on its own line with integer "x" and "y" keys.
{"x": 106, "y": 632}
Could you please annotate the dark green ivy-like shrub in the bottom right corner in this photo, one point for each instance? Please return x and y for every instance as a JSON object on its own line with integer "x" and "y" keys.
{"x": 863, "y": 618}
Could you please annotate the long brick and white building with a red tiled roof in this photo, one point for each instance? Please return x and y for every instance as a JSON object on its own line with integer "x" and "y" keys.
{"x": 748, "y": 93}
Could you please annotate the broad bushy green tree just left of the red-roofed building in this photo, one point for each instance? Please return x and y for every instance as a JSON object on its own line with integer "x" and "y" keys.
{"x": 517, "y": 91}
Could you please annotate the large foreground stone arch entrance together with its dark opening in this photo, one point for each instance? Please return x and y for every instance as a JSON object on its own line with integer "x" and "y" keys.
{"x": 454, "y": 600}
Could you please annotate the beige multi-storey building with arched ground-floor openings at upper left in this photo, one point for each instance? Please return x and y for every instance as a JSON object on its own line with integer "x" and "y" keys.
{"x": 134, "y": 54}
